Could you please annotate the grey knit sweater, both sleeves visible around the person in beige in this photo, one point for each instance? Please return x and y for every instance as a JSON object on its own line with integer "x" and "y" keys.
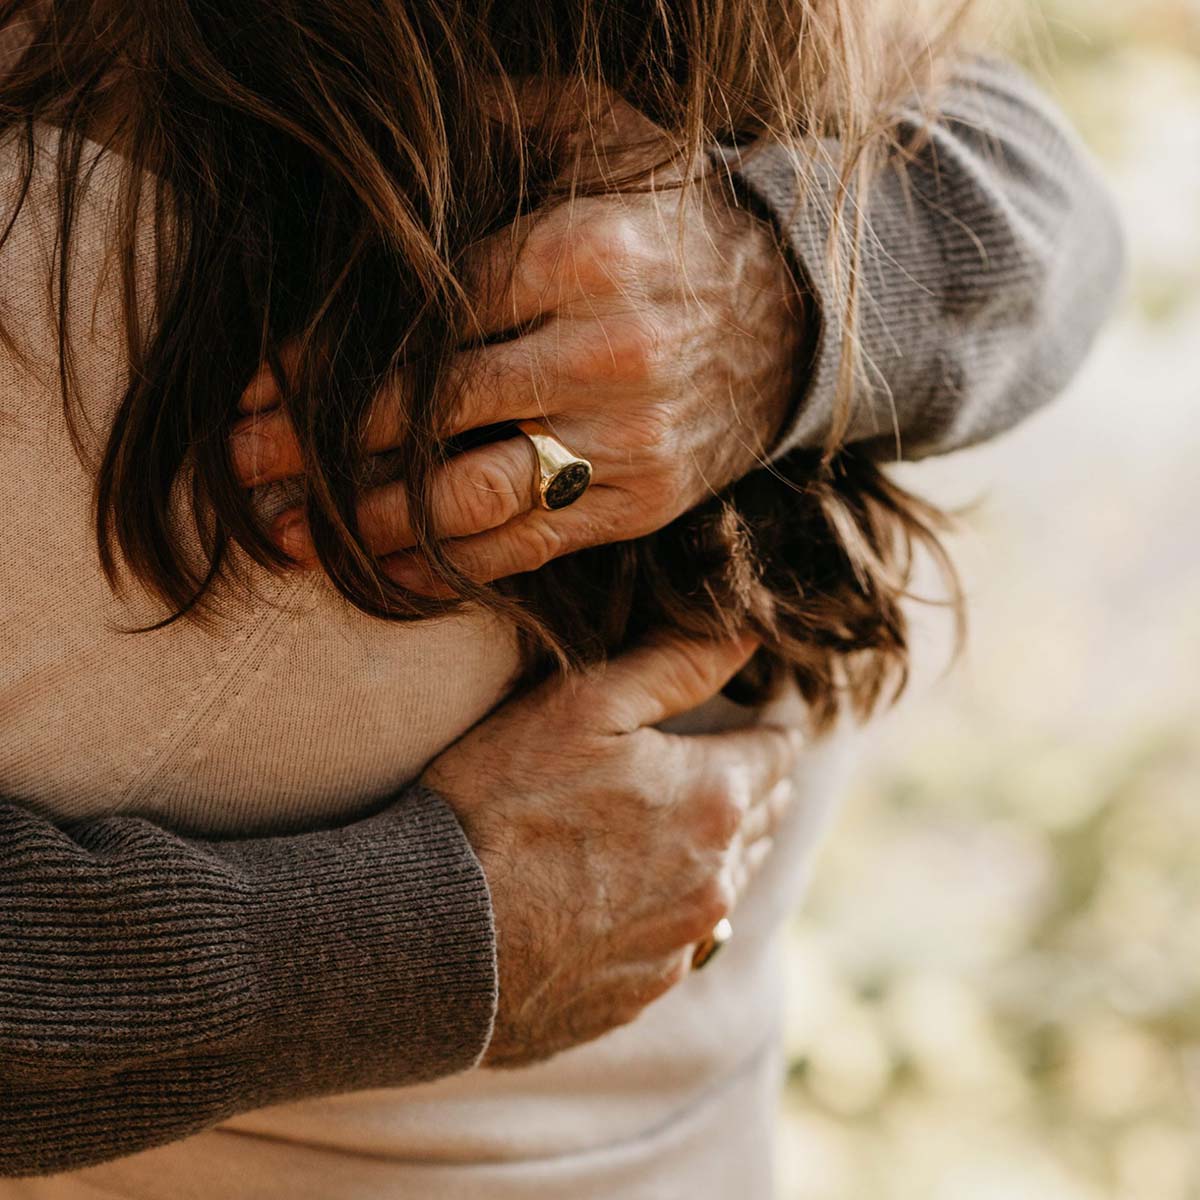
{"x": 153, "y": 985}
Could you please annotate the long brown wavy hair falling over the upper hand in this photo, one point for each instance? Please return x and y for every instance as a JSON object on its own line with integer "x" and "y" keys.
{"x": 316, "y": 173}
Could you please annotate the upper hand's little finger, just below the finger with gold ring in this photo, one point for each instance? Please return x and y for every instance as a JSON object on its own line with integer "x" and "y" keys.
{"x": 525, "y": 544}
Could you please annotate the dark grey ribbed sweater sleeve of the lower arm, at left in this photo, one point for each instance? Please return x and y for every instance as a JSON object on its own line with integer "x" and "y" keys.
{"x": 152, "y": 986}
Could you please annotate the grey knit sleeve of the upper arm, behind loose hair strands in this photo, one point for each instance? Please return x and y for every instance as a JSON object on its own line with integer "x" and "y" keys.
{"x": 991, "y": 262}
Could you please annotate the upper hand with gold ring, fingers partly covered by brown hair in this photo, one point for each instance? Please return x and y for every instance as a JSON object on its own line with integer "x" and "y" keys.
{"x": 663, "y": 347}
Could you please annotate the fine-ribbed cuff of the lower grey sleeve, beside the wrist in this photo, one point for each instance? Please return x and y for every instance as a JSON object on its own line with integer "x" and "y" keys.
{"x": 377, "y": 955}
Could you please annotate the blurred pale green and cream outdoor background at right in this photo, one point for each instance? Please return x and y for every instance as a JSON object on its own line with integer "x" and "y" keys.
{"x": 995, "y": 982}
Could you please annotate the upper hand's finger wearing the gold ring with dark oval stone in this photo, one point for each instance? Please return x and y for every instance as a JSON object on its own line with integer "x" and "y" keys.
{"x": 477, "y": 491}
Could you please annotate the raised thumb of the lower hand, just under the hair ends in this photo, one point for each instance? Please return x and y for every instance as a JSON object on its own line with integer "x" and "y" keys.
{"x": 668, "y": 676}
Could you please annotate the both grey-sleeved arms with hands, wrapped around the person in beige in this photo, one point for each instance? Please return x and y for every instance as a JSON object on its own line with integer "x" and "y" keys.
{"x": 155, "y": 985}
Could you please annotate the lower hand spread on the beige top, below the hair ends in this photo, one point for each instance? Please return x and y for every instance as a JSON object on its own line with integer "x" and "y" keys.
{"x": 611, "y": 848}
